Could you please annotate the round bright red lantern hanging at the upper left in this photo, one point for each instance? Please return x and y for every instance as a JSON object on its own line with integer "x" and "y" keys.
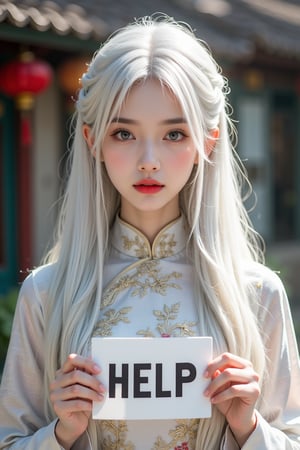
{"x": 25, "y": 78}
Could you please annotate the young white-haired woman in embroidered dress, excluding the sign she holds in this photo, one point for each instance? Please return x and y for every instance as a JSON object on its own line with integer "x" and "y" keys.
{"x": 153, "y": 240}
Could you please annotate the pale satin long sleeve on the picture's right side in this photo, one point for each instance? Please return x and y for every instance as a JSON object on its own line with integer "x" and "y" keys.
{"x": 278, "y": 426}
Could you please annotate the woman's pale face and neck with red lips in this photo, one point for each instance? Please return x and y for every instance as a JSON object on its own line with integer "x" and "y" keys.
{"x": 149, "y": 154}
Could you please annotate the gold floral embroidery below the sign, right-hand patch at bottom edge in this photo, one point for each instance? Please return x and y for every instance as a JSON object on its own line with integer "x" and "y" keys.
{"x": 185, "y": 431}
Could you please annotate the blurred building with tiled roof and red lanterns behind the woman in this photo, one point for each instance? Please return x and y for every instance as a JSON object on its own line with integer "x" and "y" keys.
{"x": 44, "y": 48}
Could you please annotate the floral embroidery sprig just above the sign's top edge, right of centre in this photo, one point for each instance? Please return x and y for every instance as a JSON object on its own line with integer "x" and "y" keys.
{"x": 167, "y": 327}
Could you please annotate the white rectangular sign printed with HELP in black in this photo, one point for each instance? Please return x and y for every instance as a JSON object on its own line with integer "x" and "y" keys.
{"x": 152, "y": 378}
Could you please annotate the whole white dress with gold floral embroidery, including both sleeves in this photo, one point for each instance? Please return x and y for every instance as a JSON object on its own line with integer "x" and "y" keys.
{"x": 148, "y": 292}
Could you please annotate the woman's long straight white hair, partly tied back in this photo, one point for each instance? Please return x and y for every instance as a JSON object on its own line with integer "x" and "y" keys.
{"x": 222, "y": 244}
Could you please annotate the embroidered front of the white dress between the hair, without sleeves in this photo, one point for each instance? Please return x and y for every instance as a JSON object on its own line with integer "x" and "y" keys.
{"x": 148, "y": 294}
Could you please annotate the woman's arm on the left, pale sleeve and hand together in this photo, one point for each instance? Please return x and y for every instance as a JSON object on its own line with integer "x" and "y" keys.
{"x": 23, "y": 422}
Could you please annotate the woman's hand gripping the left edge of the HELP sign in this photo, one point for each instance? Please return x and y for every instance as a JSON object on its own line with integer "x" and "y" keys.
{"x": 72, "y": 392}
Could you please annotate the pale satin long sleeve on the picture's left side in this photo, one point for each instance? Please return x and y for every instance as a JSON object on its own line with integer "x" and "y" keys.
{"x": 22, "y": 421}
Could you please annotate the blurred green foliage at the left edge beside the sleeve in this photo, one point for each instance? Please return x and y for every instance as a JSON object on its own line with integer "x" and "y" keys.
{"x": 7, "y": 309}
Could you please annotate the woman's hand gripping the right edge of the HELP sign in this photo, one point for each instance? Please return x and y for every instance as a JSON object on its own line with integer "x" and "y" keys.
{"x": 234, "y": 389}
